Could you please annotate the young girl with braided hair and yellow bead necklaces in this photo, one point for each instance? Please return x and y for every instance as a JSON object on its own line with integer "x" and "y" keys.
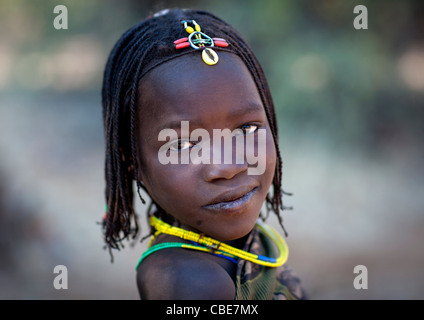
{"x": 189, "y": 74}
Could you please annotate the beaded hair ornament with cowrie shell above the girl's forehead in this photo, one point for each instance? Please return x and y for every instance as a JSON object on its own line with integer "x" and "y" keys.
{"x": 198, "y": 40}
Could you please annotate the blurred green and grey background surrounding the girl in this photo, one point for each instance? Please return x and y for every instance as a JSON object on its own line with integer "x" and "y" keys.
{"x": 350, "y": 105}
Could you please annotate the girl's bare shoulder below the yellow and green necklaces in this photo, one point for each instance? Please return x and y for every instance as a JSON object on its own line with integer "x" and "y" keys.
{"x": 175, "y": 274}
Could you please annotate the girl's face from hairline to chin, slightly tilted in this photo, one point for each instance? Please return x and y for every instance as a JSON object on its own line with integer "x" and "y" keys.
{"x": 220, "y": 200}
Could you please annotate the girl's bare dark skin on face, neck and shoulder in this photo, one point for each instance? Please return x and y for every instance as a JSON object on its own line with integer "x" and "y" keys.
{"x": 222, "y": 96}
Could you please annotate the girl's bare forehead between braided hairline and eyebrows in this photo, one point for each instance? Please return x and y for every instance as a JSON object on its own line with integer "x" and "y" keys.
{"x": 186, "y": 84}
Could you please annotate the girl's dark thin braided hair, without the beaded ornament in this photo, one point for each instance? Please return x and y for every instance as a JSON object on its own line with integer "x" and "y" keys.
{"x": 140, "y": 49}
